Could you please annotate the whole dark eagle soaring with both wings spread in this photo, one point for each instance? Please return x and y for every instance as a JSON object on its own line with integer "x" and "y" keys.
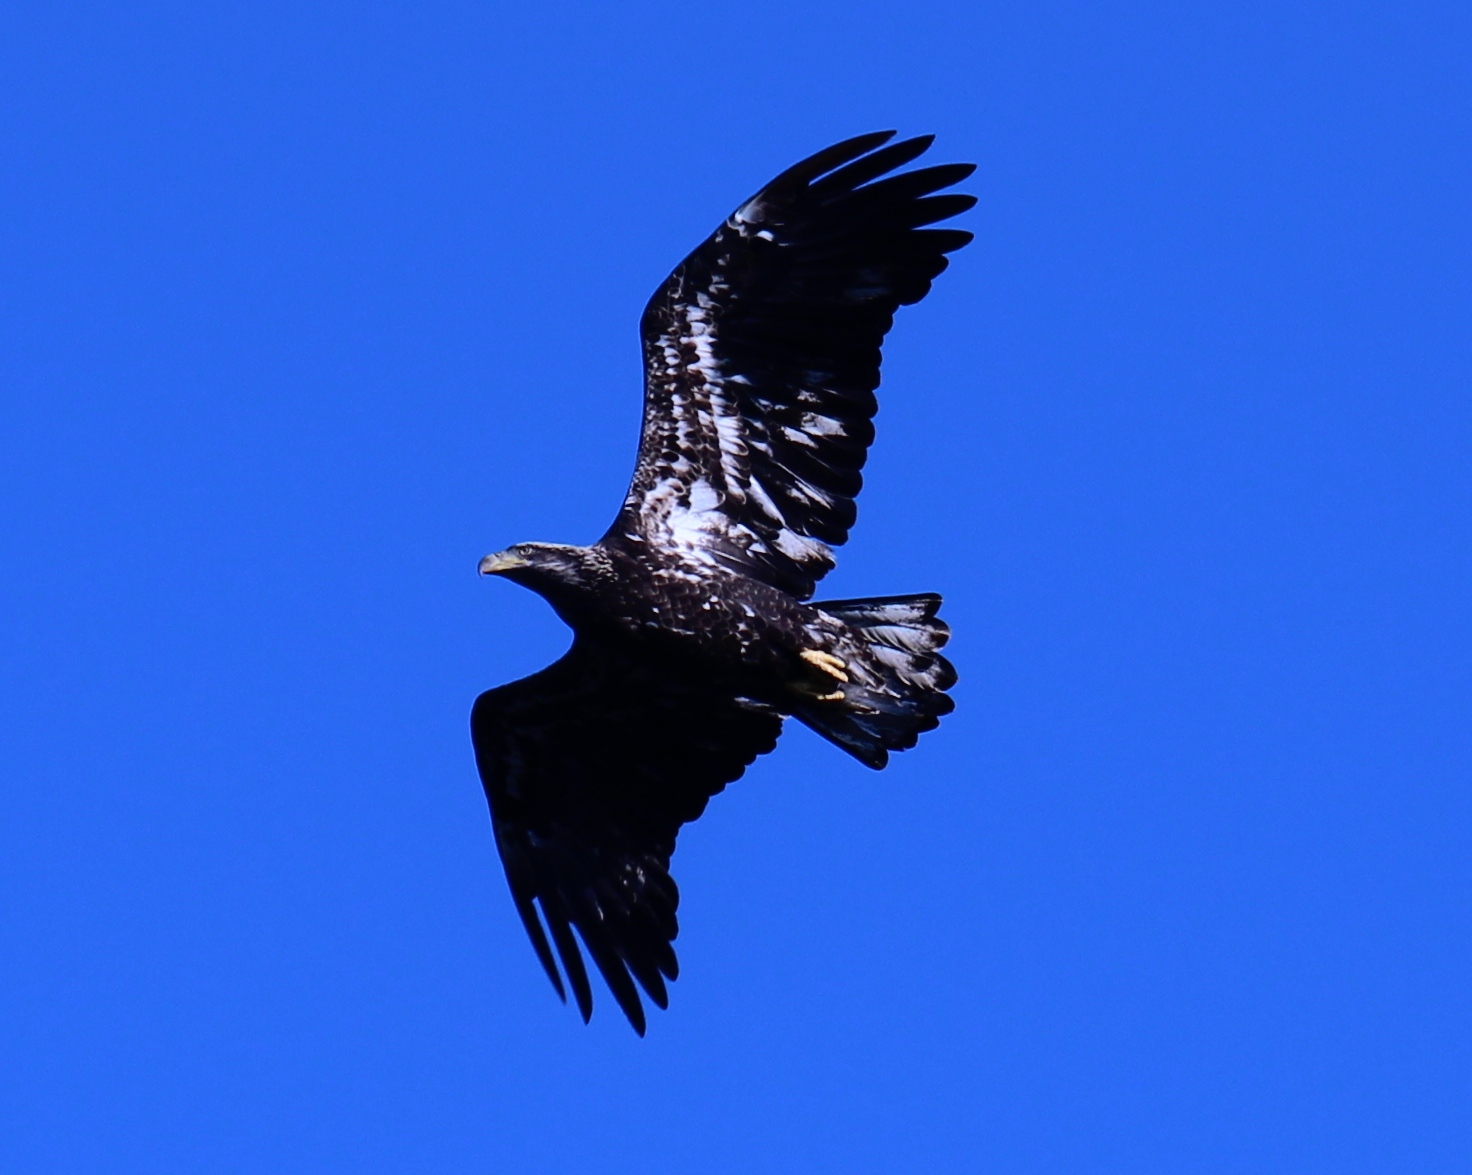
{"x": 694, "y": 625}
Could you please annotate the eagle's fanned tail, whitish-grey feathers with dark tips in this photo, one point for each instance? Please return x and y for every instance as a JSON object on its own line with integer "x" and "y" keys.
{"x": 890, "y": 712}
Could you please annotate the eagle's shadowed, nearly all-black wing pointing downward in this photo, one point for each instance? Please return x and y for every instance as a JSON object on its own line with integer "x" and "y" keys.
{"x": 591, "y": 768}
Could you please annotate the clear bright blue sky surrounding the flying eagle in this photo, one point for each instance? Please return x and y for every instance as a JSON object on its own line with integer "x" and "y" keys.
{"x": 305, "y": 308}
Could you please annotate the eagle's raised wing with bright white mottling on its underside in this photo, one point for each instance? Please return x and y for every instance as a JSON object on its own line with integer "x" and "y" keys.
{"x": 762, "y": 360}
